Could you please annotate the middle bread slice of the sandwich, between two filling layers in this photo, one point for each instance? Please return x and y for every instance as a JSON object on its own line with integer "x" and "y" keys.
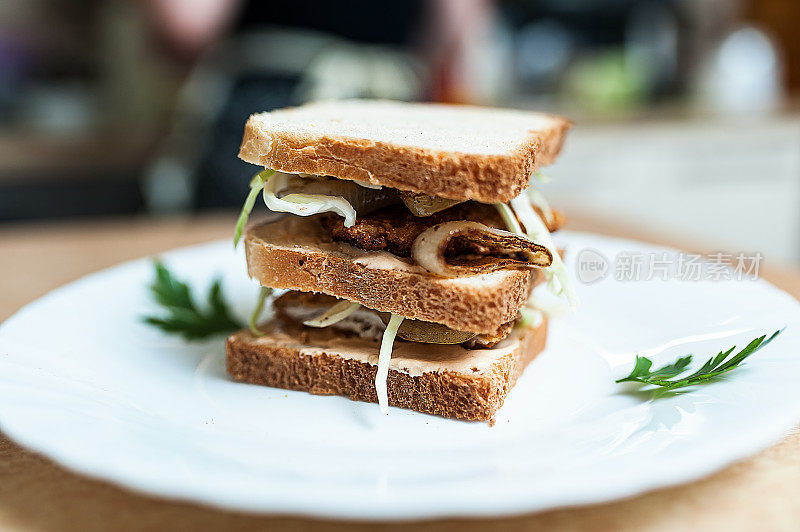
{"x": 297, "y": 254}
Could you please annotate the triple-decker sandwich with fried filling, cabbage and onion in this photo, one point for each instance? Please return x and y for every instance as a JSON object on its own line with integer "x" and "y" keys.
{"x": 412, "y": 239}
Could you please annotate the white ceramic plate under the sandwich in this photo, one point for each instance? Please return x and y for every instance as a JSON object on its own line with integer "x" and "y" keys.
{"x": 84, "y": 382}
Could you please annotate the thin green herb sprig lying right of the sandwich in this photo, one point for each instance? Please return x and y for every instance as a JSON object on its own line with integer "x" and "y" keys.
{"x": 713, "y": 368}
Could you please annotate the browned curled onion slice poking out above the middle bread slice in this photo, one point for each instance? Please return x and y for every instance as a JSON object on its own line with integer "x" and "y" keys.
{"x": 453, "y": 249}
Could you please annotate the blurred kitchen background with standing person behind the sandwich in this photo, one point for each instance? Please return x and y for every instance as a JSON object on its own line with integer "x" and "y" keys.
{"x": 687, "y": 112}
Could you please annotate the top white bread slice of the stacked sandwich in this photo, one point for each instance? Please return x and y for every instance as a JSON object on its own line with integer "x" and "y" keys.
{"x": 457, "y": 152}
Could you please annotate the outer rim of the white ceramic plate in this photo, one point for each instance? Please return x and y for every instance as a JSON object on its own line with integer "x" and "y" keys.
{"x": 747, "y": 446}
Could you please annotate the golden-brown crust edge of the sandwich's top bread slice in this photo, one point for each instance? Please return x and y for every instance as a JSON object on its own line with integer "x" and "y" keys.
{"x": 489, "y": 178}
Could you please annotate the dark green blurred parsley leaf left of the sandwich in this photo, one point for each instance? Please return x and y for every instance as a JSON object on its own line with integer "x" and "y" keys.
{"x": 183, "y": 316}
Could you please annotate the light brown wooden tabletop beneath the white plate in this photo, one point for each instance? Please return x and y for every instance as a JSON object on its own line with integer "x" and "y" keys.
{"x": 760, "y": 493}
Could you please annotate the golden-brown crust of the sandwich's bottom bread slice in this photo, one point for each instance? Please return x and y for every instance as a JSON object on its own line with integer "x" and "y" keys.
{"x": 474, "y": 396}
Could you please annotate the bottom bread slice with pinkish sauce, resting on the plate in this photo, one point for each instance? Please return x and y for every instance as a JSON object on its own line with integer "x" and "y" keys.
{"x": 448, "y": 381}
